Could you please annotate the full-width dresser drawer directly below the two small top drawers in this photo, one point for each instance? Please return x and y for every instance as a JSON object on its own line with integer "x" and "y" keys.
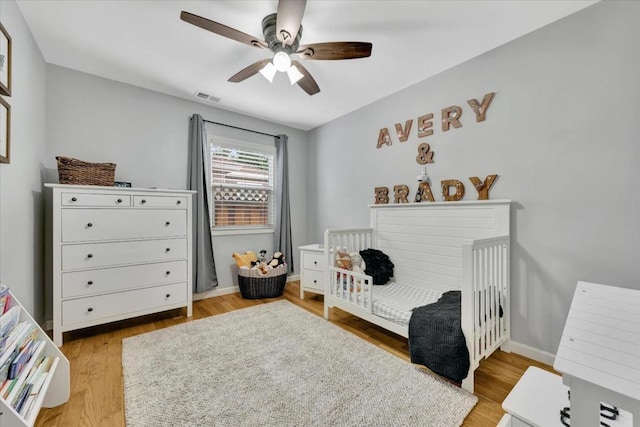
{"x": 84, "y": 225}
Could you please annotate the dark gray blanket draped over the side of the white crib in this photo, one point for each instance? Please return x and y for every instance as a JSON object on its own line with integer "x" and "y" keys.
{"x": 436, "y": 339}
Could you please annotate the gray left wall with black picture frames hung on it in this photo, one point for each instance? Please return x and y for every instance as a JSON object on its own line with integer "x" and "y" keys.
{"x": 21, "y": 204}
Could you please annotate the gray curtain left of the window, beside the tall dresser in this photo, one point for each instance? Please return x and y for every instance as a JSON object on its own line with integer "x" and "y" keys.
{"x": 204, "y": 269}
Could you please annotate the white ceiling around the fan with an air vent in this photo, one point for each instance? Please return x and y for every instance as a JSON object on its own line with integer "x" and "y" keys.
{"x": 144, "y": 43}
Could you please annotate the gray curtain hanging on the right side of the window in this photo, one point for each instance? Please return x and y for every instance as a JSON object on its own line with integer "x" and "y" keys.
{"x": 282, "y": 214}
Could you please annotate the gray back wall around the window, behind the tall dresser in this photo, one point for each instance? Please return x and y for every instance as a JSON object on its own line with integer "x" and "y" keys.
{"x": 145, "y": 133}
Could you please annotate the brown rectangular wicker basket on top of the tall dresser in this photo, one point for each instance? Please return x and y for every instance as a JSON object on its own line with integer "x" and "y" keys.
{"x": 74, "y": 171}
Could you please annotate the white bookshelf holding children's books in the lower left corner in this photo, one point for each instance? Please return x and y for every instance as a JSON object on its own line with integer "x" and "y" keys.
{"x": 53, "y": 387}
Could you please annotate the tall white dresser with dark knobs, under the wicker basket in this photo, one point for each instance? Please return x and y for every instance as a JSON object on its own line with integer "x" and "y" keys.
{"x": 118, "y": 253}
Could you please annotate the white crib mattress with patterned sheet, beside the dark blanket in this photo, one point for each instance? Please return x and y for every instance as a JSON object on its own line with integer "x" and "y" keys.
{"x": 395, "y": 301}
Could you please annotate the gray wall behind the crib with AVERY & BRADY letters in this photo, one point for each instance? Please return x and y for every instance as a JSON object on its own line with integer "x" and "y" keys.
{"x": 562, "y": 133}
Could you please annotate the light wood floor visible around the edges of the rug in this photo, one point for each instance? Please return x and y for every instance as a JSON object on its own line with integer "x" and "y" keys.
{"x": 97, "y": 397}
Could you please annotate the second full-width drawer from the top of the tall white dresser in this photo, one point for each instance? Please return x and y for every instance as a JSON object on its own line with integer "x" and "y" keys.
{"x": 93, "y": 255}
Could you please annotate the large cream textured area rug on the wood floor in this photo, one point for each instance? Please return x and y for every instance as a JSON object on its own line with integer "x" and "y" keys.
{"x": 277, "y": 365}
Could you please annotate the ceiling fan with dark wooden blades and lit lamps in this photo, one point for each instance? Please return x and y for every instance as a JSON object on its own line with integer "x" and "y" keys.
{"x": 282, "y": 32}
